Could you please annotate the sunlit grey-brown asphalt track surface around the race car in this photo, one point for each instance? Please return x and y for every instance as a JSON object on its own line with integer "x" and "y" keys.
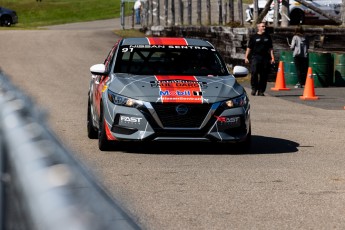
{"x": 293, "y": 178}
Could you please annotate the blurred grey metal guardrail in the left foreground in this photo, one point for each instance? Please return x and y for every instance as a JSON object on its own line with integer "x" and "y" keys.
{"x": 43, "y": 187}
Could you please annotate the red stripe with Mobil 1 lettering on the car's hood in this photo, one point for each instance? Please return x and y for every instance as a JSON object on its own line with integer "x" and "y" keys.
{"x": 174, "y": 93}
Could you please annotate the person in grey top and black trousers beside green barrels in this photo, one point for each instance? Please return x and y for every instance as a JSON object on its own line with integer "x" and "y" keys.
{"x": 300, "y": 46}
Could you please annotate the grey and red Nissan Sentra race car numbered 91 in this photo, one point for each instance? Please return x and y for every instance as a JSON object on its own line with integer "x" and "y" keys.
{"x": 152, "y": 89}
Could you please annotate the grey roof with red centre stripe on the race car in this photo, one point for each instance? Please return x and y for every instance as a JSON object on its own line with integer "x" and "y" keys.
{"x": 166, "y": 41}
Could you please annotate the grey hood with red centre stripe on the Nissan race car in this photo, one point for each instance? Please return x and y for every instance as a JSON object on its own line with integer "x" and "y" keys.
{"x": 176, "y": 89}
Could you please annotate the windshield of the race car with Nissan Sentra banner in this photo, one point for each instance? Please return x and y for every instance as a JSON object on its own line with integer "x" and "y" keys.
{"x": 171, "y": 60}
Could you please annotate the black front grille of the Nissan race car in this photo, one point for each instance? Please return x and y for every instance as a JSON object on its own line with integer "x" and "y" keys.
{"x": 171, "y": 119}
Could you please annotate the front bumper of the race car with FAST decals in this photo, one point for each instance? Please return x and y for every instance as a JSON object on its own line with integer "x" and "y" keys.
{"x": 208, "y": 123}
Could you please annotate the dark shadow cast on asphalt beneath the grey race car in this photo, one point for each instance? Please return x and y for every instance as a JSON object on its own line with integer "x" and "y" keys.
{"x": 260, "y": 145}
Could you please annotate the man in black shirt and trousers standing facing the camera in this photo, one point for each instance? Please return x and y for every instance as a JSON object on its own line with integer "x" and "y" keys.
{"x": 260, "y": 52}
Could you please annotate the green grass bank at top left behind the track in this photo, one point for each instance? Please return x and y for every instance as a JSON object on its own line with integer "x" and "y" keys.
{"x": 33, "y": 14}
